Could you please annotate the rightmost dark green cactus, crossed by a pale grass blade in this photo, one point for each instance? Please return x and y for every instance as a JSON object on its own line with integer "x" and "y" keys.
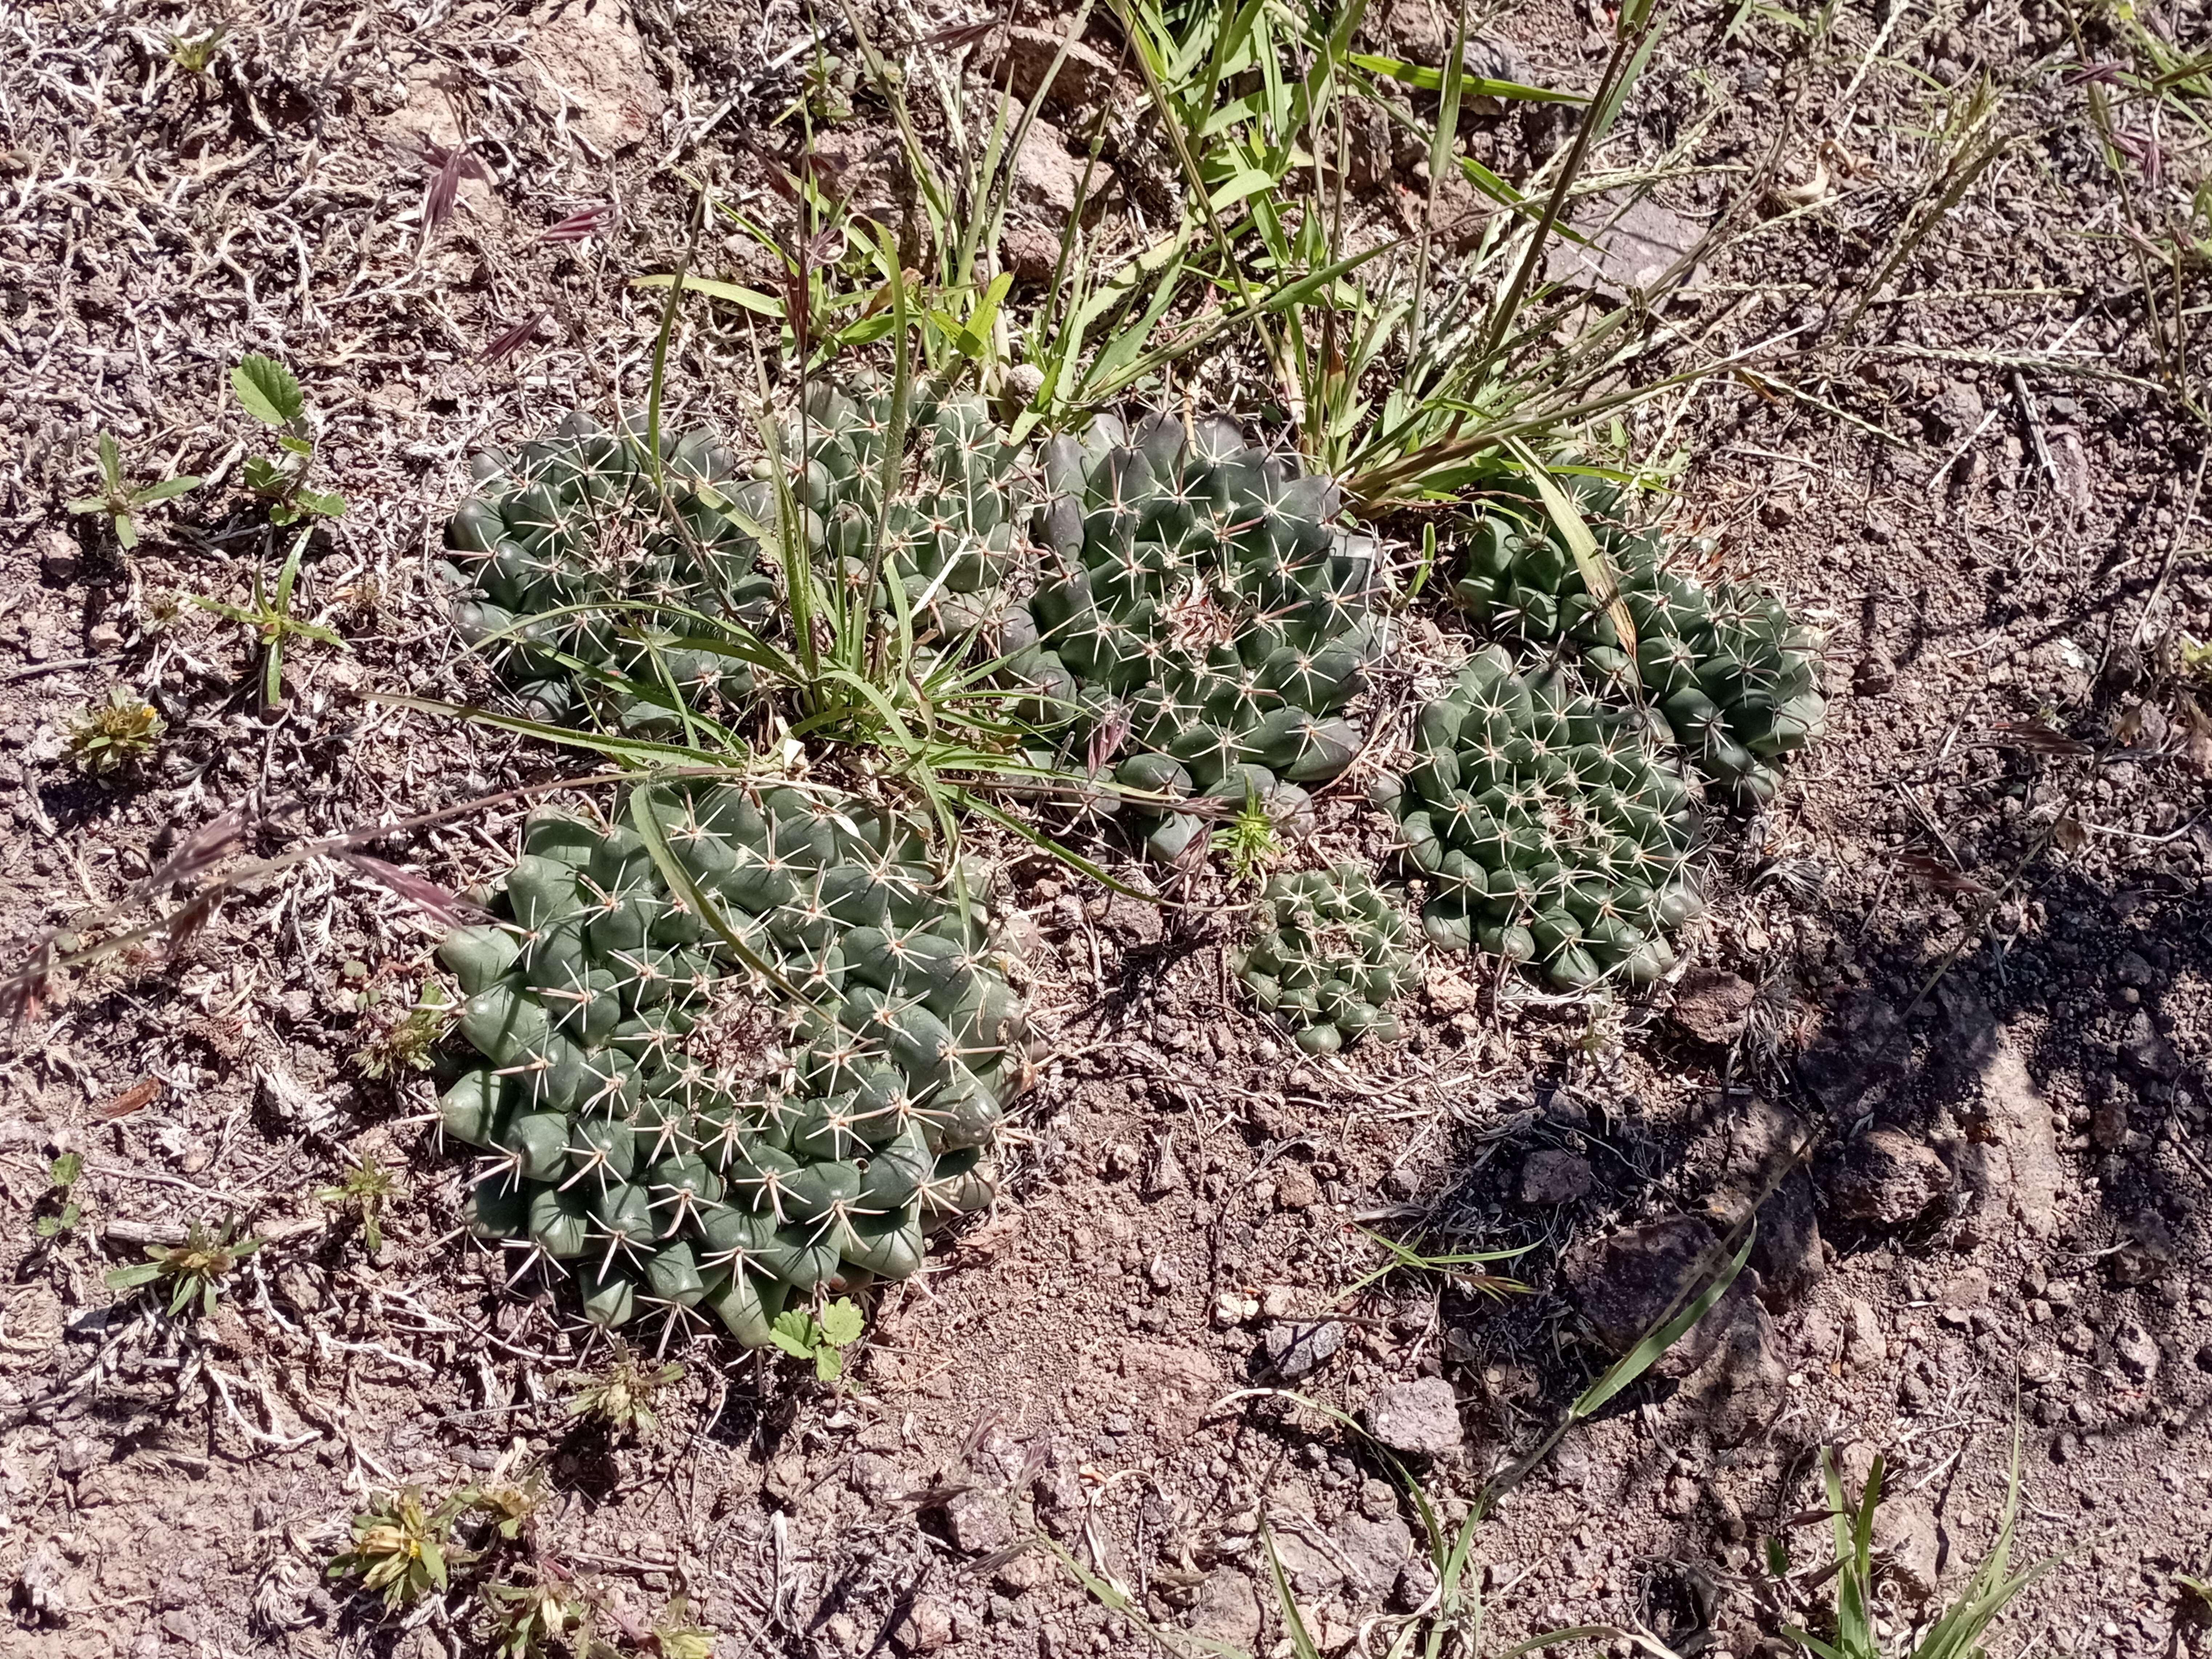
{"x": 1726, "y": 674}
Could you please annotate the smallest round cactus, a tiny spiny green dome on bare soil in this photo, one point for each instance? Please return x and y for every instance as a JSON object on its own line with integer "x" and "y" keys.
{"x": 1328, "y": 957}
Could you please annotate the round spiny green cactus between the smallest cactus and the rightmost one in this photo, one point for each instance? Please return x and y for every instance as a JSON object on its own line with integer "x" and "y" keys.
{"x": 1547, "y": 828}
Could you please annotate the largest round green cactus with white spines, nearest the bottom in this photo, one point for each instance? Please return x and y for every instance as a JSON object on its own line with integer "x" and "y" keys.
{"x": 629, "y": 1149}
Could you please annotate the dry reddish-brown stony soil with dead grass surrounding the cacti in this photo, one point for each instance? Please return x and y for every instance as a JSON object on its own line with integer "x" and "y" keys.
{"x": 1948, "y": 1025}
